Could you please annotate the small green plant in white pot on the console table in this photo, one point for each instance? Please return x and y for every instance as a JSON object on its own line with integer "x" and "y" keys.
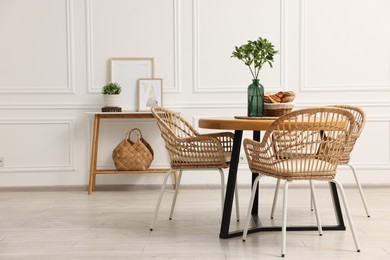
{"x": 111, "y": 97}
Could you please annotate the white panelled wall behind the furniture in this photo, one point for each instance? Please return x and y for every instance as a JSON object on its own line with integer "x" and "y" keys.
{"x": 54, "y": 60}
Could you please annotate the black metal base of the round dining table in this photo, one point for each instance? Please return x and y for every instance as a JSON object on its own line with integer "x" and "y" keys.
{"x": 227, "y": 210}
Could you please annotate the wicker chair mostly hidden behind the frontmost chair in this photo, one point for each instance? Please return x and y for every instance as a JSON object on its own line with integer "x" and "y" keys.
{"x": 360, "y": 121}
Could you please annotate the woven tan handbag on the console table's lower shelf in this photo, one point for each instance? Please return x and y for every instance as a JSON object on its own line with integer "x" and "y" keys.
{"x": 131, "y": 155}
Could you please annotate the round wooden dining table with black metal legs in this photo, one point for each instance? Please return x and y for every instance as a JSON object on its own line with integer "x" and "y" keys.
{"x": 255, "y": 124}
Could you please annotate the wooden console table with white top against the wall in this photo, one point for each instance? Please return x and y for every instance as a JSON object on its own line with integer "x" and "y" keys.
{"x": 95, "y": 142}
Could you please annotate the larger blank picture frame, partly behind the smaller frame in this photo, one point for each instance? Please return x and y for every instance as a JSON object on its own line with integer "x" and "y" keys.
{"x": 126, "y": 71}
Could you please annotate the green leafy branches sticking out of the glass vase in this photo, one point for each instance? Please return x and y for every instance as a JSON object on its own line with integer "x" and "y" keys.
{"x": 255, "y": 54}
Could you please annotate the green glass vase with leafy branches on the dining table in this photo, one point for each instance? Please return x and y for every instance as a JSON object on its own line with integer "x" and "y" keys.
{"x": 255, "y": 54}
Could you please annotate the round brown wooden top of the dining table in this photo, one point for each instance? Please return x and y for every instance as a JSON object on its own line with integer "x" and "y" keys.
{"x": 236, "y": 123}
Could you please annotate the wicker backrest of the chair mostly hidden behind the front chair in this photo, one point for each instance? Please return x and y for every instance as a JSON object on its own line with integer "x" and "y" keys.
{"x": 360, "y": 121}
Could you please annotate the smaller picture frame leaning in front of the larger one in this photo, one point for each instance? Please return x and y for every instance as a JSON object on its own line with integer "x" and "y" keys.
{"x": 149, "y": 93}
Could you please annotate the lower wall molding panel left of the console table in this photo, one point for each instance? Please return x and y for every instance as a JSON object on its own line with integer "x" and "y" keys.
{"x": 36, "y": 140}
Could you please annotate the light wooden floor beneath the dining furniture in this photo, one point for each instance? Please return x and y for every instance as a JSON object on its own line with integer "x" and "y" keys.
{"x": 115, "y": 225}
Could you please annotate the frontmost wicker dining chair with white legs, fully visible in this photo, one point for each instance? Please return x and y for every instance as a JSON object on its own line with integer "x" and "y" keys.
{"x": 305, "y": 144}
